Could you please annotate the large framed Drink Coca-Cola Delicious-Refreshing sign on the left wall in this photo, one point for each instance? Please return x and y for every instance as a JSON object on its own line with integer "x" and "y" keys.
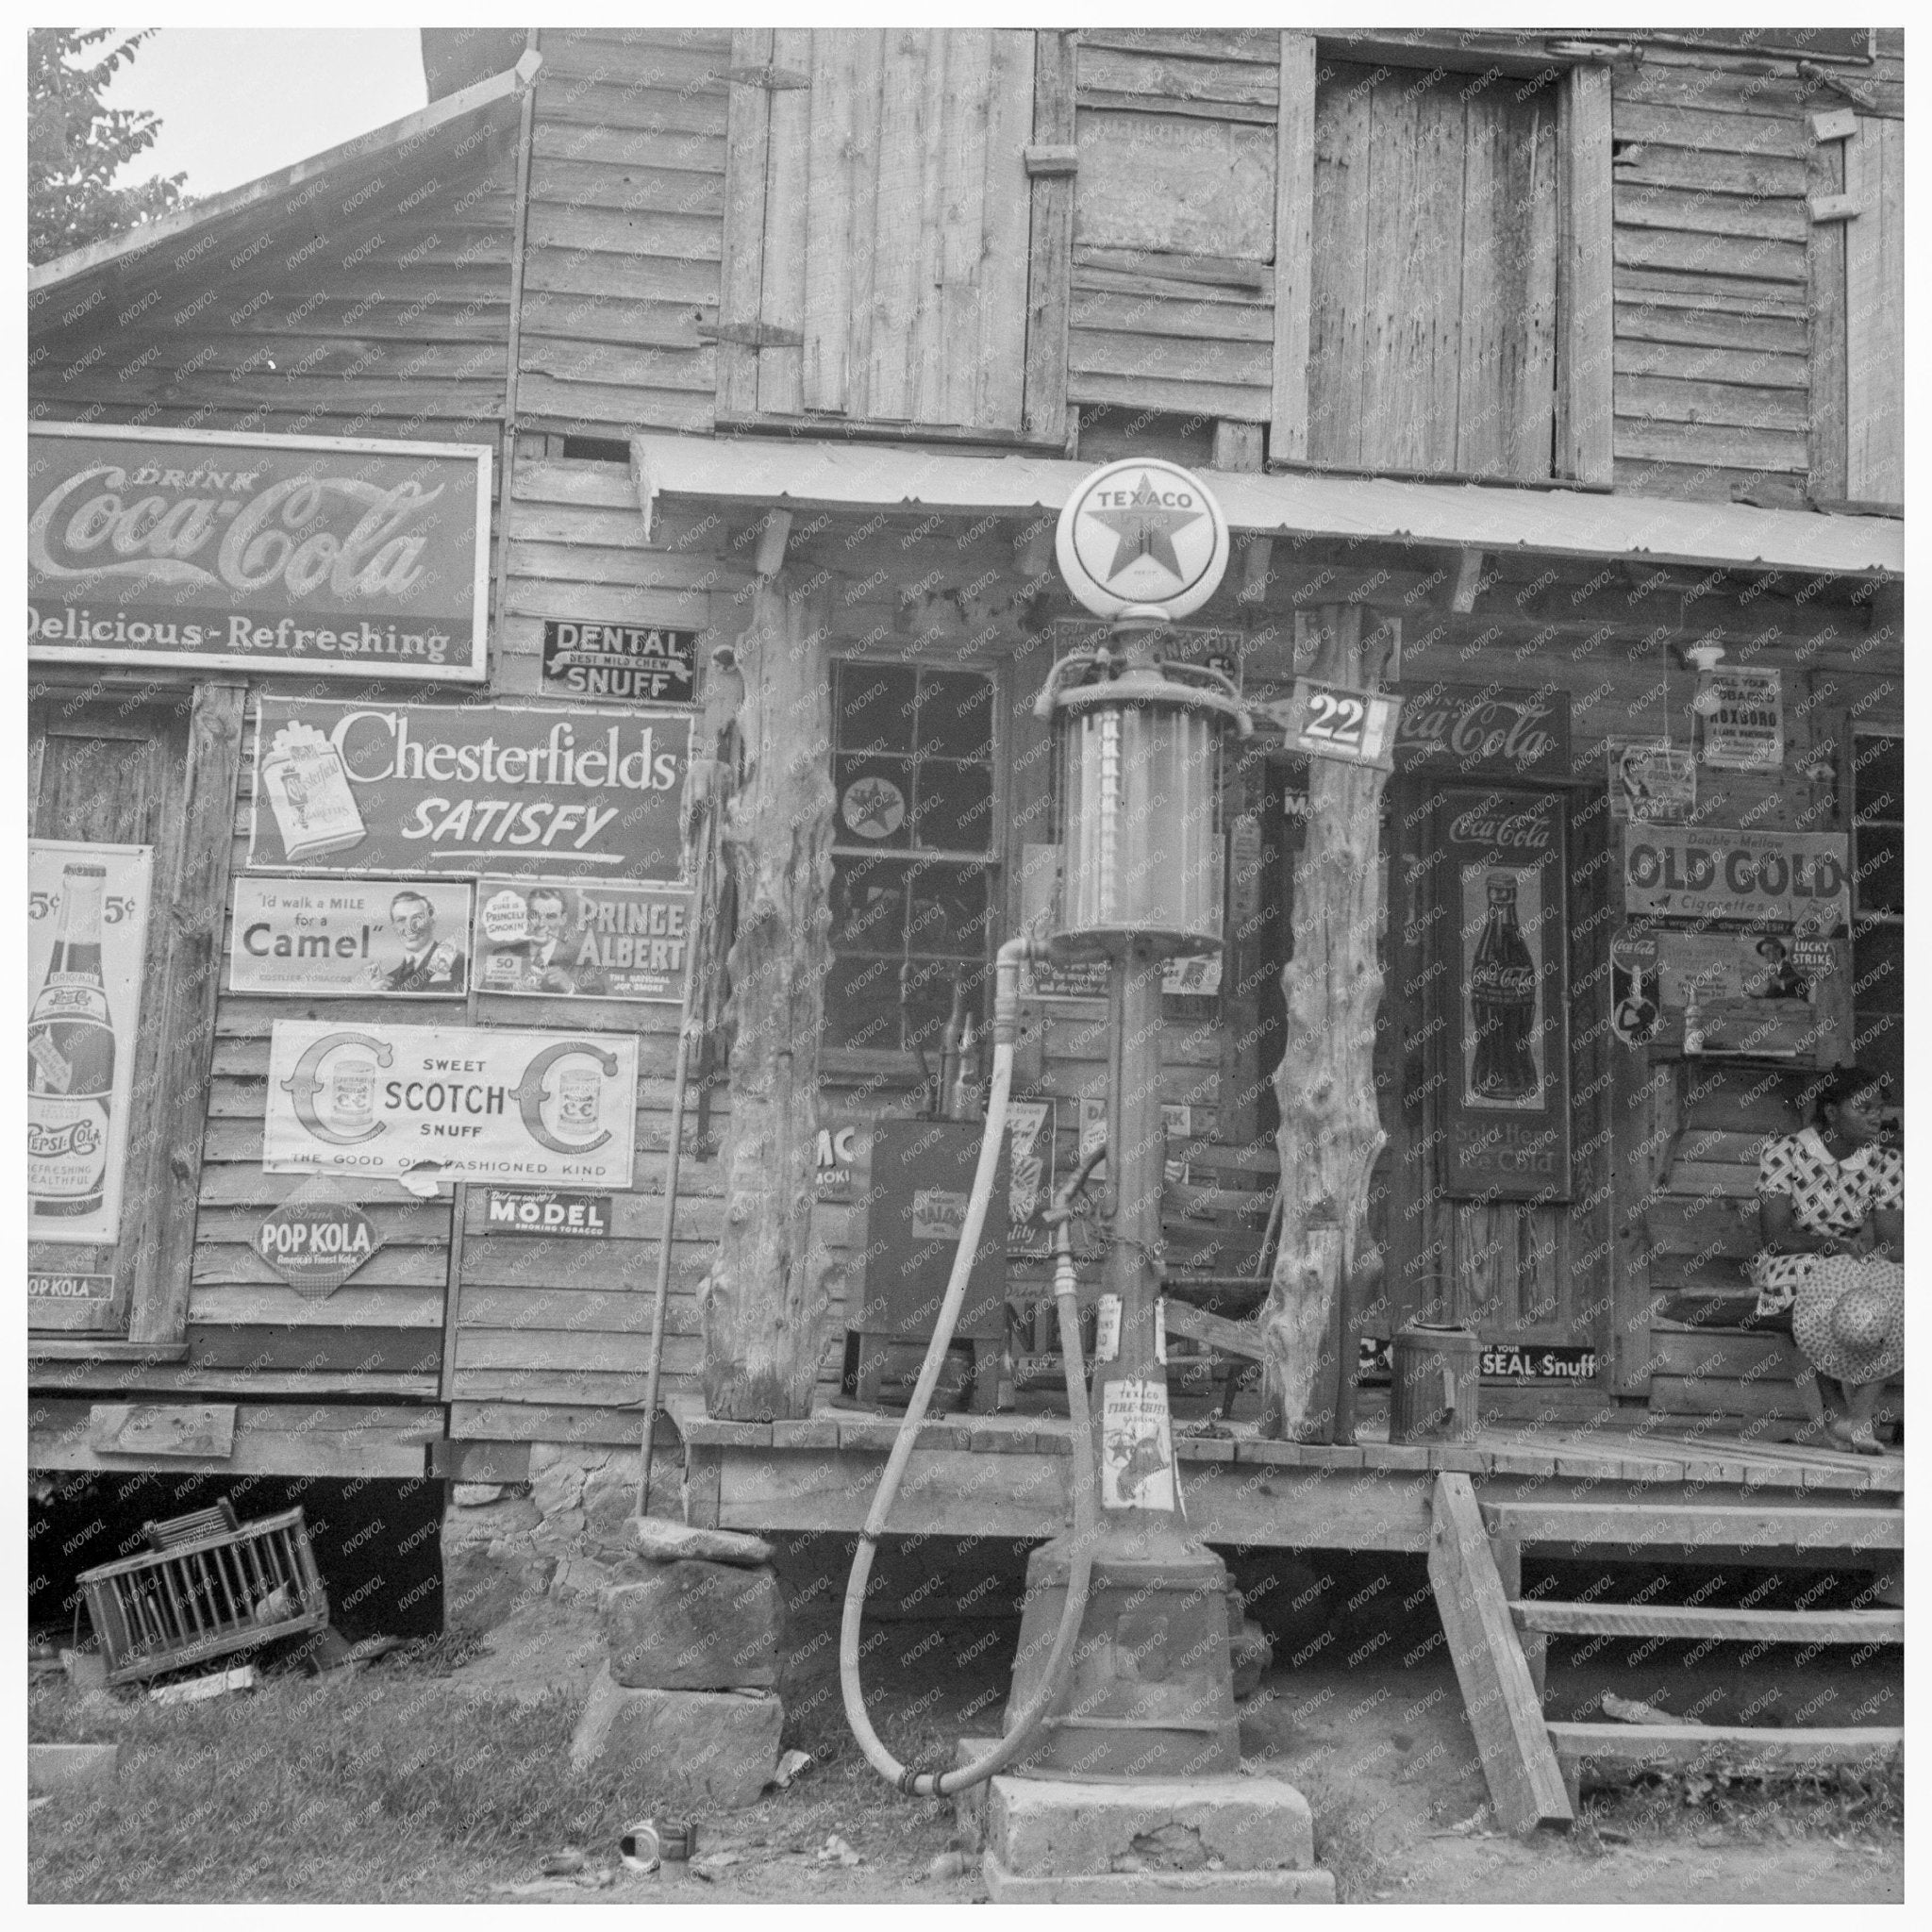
{"x": 258, "y": 554}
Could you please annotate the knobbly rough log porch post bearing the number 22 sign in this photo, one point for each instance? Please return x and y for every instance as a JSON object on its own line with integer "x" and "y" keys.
{"x": 1330, "y": 1131}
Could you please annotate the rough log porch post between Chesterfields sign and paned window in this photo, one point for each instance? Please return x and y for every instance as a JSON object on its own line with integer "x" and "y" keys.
{"x": 766, "y": 1295}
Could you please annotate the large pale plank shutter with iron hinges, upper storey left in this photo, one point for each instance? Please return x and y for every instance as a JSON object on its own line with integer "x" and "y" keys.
{"x": 880, "y": 223}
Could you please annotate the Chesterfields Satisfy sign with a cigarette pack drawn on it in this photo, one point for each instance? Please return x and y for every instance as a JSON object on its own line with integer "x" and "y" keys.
{"x": 467, "y": 789}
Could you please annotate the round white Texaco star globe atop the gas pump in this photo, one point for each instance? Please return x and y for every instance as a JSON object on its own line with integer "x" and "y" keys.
{"x": 1143, "y": 532}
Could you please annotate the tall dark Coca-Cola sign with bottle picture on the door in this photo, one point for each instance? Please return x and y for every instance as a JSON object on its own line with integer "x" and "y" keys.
{"x": 1506, "y": 942}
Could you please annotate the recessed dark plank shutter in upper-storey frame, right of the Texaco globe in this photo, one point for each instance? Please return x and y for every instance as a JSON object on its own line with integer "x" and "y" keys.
{"x": 1435, "y": 277}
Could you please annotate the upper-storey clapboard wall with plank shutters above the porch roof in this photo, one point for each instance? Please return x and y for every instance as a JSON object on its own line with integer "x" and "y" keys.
{"x": 1454, "y": 254}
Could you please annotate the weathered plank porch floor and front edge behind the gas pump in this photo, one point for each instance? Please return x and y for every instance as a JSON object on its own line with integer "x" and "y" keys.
{"x": 1009, "y": 1477}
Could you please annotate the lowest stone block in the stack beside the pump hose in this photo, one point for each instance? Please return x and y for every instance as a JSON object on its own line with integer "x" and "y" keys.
{"x": 714, "y": 1747}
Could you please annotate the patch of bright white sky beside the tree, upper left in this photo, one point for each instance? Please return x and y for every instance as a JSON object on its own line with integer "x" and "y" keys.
{"x": 239, "y": 103}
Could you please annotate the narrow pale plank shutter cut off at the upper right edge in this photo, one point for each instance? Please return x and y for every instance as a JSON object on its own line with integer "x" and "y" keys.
{"x": 1875, "y": 312}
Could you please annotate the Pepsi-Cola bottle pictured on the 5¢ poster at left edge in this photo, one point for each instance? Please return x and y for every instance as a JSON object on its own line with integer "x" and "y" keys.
{"x": 71, "y": 1062}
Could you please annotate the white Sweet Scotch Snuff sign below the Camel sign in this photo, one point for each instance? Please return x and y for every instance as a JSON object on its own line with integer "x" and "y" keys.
{"x": 459, "y": 1102}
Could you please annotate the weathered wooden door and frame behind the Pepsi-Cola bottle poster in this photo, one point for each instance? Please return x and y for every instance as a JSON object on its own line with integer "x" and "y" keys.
{"x": 103, "y": 774}
